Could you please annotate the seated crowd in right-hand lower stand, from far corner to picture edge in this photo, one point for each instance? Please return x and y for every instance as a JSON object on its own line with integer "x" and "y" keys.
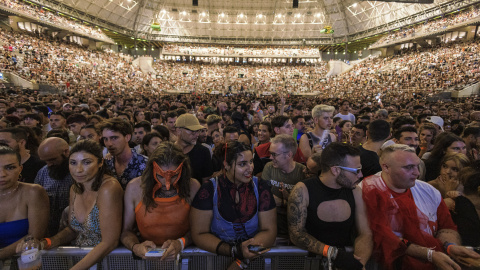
{"x": 421, "y": 71}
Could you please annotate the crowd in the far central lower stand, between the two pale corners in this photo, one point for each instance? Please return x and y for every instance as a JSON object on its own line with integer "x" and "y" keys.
{"x": 223, "y": 77}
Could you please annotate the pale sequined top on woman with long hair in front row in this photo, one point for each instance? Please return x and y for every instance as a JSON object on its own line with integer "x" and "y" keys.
{"x": 88, "y": 232}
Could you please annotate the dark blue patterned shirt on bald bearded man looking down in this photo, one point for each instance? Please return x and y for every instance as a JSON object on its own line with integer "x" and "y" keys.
{"x": 58, "y": 192}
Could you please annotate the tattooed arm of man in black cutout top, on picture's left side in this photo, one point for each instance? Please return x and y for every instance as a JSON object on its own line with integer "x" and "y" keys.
{"x": 297, "y": 216}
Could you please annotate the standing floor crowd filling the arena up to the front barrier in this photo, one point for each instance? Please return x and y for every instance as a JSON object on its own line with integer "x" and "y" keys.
{"x": 235, "y": 175}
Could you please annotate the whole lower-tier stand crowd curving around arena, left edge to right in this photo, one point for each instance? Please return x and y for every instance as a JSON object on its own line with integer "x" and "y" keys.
{"x": 68, "y": 66}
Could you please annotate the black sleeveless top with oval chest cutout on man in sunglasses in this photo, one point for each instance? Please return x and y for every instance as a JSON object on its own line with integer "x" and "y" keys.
{"x": 339, "y": 234}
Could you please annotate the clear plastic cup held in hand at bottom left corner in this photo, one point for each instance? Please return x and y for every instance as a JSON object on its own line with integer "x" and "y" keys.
{"x": 30, "y": 258}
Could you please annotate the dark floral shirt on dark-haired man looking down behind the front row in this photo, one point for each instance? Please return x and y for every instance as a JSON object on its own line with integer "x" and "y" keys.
{"x": 135, "y": 168}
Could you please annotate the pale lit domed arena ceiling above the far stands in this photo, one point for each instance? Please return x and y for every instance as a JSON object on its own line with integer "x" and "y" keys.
{"x": 266, "y": 20}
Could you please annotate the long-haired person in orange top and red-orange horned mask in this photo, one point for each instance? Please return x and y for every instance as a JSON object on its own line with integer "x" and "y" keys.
{"x": 157, "y": 204}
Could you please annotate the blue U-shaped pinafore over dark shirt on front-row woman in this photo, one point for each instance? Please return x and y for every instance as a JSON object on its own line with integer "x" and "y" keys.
{"x": 233, "y": 232}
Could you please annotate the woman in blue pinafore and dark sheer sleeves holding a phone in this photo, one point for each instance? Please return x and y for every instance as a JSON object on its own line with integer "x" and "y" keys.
{"x": 234, "y": 214}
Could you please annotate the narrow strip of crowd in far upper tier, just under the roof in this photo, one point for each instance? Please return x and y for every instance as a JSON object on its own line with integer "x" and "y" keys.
{"x": 241, "y": 51}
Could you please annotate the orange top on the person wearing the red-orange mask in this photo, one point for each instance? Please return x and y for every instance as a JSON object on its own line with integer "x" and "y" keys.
{"x": 169, "y": 220}
